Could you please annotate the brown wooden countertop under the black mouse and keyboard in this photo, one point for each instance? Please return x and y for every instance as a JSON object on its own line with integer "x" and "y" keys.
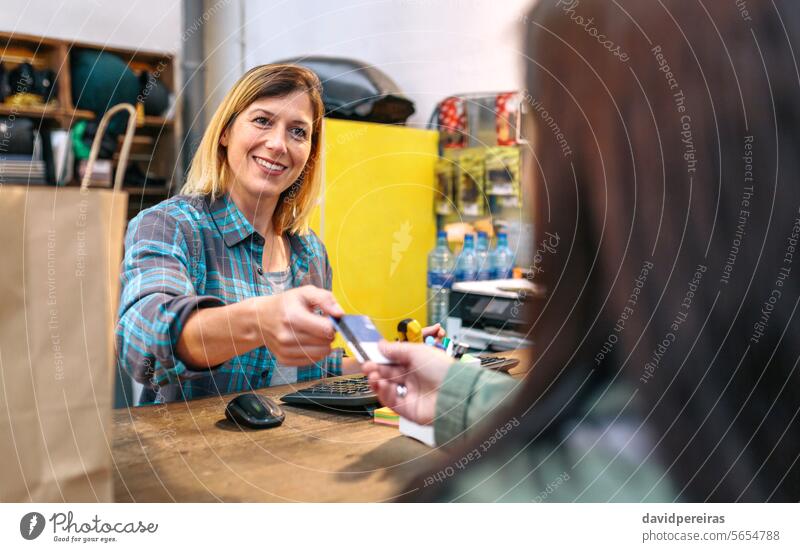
{"x": 189, "y": 452}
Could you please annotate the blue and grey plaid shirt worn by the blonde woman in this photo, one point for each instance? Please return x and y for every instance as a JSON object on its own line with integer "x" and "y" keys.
{"x": 188, "y": 253}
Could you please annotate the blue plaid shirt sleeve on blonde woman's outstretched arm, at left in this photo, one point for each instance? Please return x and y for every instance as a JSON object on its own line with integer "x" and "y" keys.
{"x": 158, "y": 296}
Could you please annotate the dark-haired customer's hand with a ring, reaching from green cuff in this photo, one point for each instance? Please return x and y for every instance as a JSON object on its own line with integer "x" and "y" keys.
{"x": 420, "y": 368}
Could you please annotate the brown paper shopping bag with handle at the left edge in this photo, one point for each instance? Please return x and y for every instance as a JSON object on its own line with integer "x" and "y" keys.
{"x": 59, "y": 276}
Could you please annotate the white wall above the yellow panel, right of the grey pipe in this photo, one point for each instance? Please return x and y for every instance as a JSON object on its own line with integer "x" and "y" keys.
{"x": 430, "y": 48}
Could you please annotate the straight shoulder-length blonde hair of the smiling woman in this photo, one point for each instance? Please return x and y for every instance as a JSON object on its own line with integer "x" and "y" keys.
{"x": 209, "y": 172}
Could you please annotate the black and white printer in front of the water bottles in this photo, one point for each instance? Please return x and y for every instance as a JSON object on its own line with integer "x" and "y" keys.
{"x": 490, "y": 315}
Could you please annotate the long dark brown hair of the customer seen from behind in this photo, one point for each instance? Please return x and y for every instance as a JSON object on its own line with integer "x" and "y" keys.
{"x": 665, "y": 141}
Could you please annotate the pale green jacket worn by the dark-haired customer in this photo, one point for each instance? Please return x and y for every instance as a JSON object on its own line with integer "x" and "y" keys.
{"x": 601, "y": 455}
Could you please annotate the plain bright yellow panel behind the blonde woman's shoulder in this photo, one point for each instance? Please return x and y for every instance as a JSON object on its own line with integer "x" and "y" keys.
{"x": 378, "y": 218}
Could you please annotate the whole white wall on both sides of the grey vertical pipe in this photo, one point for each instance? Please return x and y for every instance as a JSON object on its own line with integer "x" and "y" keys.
{"x": 431, "y": 48}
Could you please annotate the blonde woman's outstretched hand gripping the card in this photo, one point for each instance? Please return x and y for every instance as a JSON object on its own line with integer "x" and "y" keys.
{"x": 291, "y": 328}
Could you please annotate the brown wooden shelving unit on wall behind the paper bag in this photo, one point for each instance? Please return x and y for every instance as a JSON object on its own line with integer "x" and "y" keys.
{"x": 156, "y": 145}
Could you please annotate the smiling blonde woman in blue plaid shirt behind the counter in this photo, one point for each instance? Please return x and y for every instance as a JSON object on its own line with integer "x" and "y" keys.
{"x": 223, "y": 285}
